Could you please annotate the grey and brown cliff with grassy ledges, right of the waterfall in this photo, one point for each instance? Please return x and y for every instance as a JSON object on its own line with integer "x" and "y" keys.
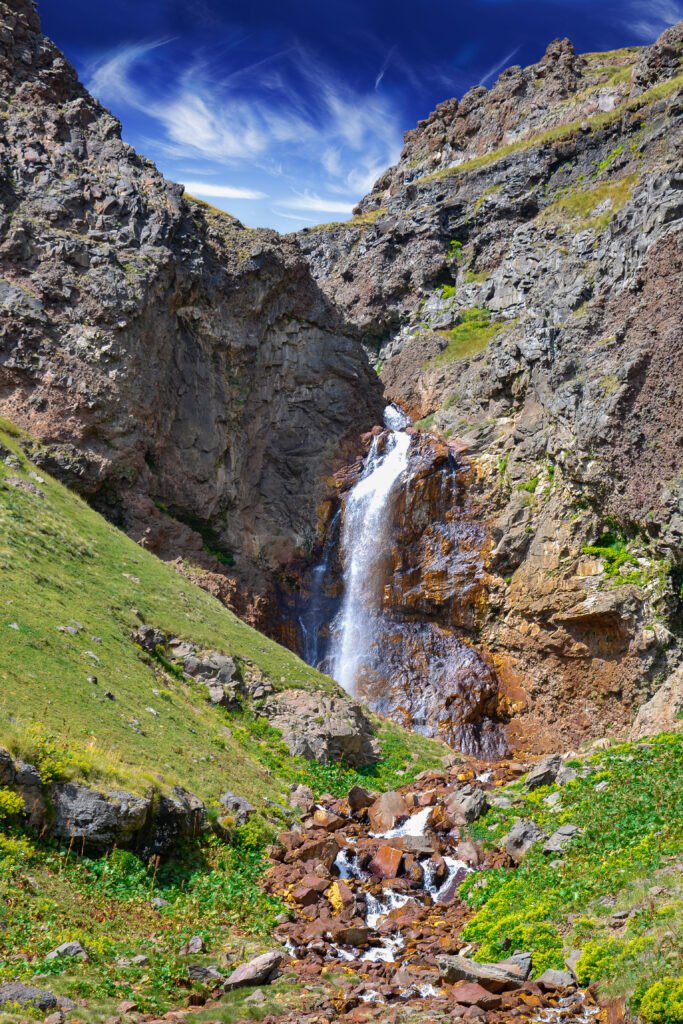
{"x": 518, "y": 276}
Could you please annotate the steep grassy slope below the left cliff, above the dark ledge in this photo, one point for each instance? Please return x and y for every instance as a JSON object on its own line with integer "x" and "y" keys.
{"x": 61, "y": 564}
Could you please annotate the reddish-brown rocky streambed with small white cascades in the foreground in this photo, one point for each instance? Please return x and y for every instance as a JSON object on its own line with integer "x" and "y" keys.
{"x": 372, "y": 885}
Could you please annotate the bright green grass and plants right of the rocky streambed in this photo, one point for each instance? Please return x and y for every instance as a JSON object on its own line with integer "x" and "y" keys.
{"x": 632, "y": 836}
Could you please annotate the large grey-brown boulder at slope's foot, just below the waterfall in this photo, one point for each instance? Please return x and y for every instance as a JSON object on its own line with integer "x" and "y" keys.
{"x": 323, "y": 728}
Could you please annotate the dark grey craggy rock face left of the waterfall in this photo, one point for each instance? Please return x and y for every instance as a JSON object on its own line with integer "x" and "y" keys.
{"x": 183, "y": 372}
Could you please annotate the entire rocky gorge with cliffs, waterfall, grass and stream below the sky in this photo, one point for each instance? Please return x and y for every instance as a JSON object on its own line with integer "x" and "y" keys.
{"x": 434, "y": 451}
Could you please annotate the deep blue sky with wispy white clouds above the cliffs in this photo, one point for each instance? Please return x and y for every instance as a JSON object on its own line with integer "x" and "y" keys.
{"x": 285, "y": 112}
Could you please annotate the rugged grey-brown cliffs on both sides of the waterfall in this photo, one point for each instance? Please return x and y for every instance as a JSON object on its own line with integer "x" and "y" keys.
{"x": 517, "y": 282}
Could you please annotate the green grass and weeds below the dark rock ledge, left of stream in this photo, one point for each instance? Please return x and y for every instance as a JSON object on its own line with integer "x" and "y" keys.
{"x": 51, "y": 894}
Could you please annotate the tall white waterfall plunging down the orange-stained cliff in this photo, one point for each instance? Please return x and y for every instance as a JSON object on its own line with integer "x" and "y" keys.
{"x": 364, "y": 544}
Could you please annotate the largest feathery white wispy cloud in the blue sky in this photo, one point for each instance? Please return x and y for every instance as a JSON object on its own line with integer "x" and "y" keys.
{"x": 287, "y": 110}
